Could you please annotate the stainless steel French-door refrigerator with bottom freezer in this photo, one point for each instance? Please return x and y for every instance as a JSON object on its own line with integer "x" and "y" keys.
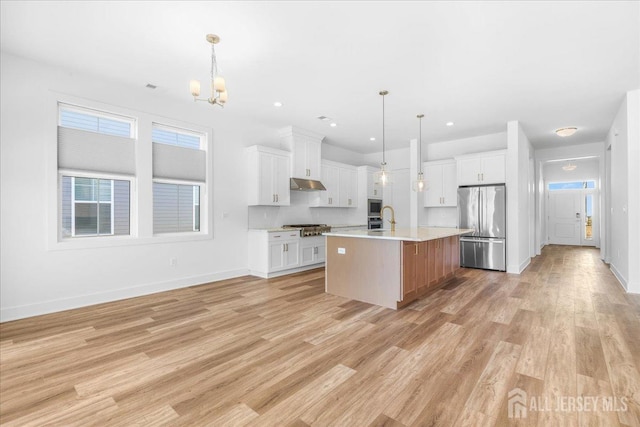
{"x": 483, "y": 209}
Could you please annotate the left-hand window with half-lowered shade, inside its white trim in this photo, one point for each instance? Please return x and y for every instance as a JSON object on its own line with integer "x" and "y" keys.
{"x": 92, "y": 144}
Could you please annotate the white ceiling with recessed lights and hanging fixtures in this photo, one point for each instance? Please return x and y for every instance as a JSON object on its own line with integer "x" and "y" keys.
{"x": 479, "y": 64}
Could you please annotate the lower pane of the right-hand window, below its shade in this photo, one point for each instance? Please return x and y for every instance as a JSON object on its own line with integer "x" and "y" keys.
{"x": 176, "y": 208}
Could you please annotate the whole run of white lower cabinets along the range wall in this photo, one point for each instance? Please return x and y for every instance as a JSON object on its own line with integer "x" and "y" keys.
{"x": 277, "y": 252}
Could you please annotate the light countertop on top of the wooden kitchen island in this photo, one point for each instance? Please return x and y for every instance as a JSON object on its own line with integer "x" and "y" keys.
{"x": 412, "y": 234}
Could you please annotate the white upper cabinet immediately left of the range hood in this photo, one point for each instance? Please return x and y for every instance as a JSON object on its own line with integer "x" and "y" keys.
{"x": 268, "y": 176}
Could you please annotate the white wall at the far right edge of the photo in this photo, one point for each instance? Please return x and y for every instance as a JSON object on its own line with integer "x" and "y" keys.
{"x": 624, "y": 140}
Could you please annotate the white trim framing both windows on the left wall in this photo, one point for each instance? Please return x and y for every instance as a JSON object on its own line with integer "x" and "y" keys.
{"x": 140, "y": 183}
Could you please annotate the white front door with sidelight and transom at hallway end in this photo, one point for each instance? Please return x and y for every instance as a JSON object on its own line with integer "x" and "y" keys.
{"x": 572, "y": 213}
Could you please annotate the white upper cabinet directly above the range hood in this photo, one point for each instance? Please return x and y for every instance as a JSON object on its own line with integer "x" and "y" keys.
{"x": 305, "y": 152}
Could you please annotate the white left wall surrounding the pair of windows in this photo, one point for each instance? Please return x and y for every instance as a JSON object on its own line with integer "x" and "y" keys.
{"x": 35, "y": 279}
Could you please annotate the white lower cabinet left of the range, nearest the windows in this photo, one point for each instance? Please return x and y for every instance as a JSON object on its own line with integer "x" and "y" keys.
{"x": 273, "y": 251}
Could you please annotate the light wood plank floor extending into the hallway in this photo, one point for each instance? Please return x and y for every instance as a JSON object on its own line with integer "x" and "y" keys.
{"x": 281, "y": 352}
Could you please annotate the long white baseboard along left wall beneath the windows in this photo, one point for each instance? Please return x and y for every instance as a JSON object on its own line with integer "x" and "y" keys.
{"x": 53, "y": 306}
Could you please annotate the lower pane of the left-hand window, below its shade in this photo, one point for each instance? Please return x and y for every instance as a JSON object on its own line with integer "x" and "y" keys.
{"x": 94, "y": 207}
